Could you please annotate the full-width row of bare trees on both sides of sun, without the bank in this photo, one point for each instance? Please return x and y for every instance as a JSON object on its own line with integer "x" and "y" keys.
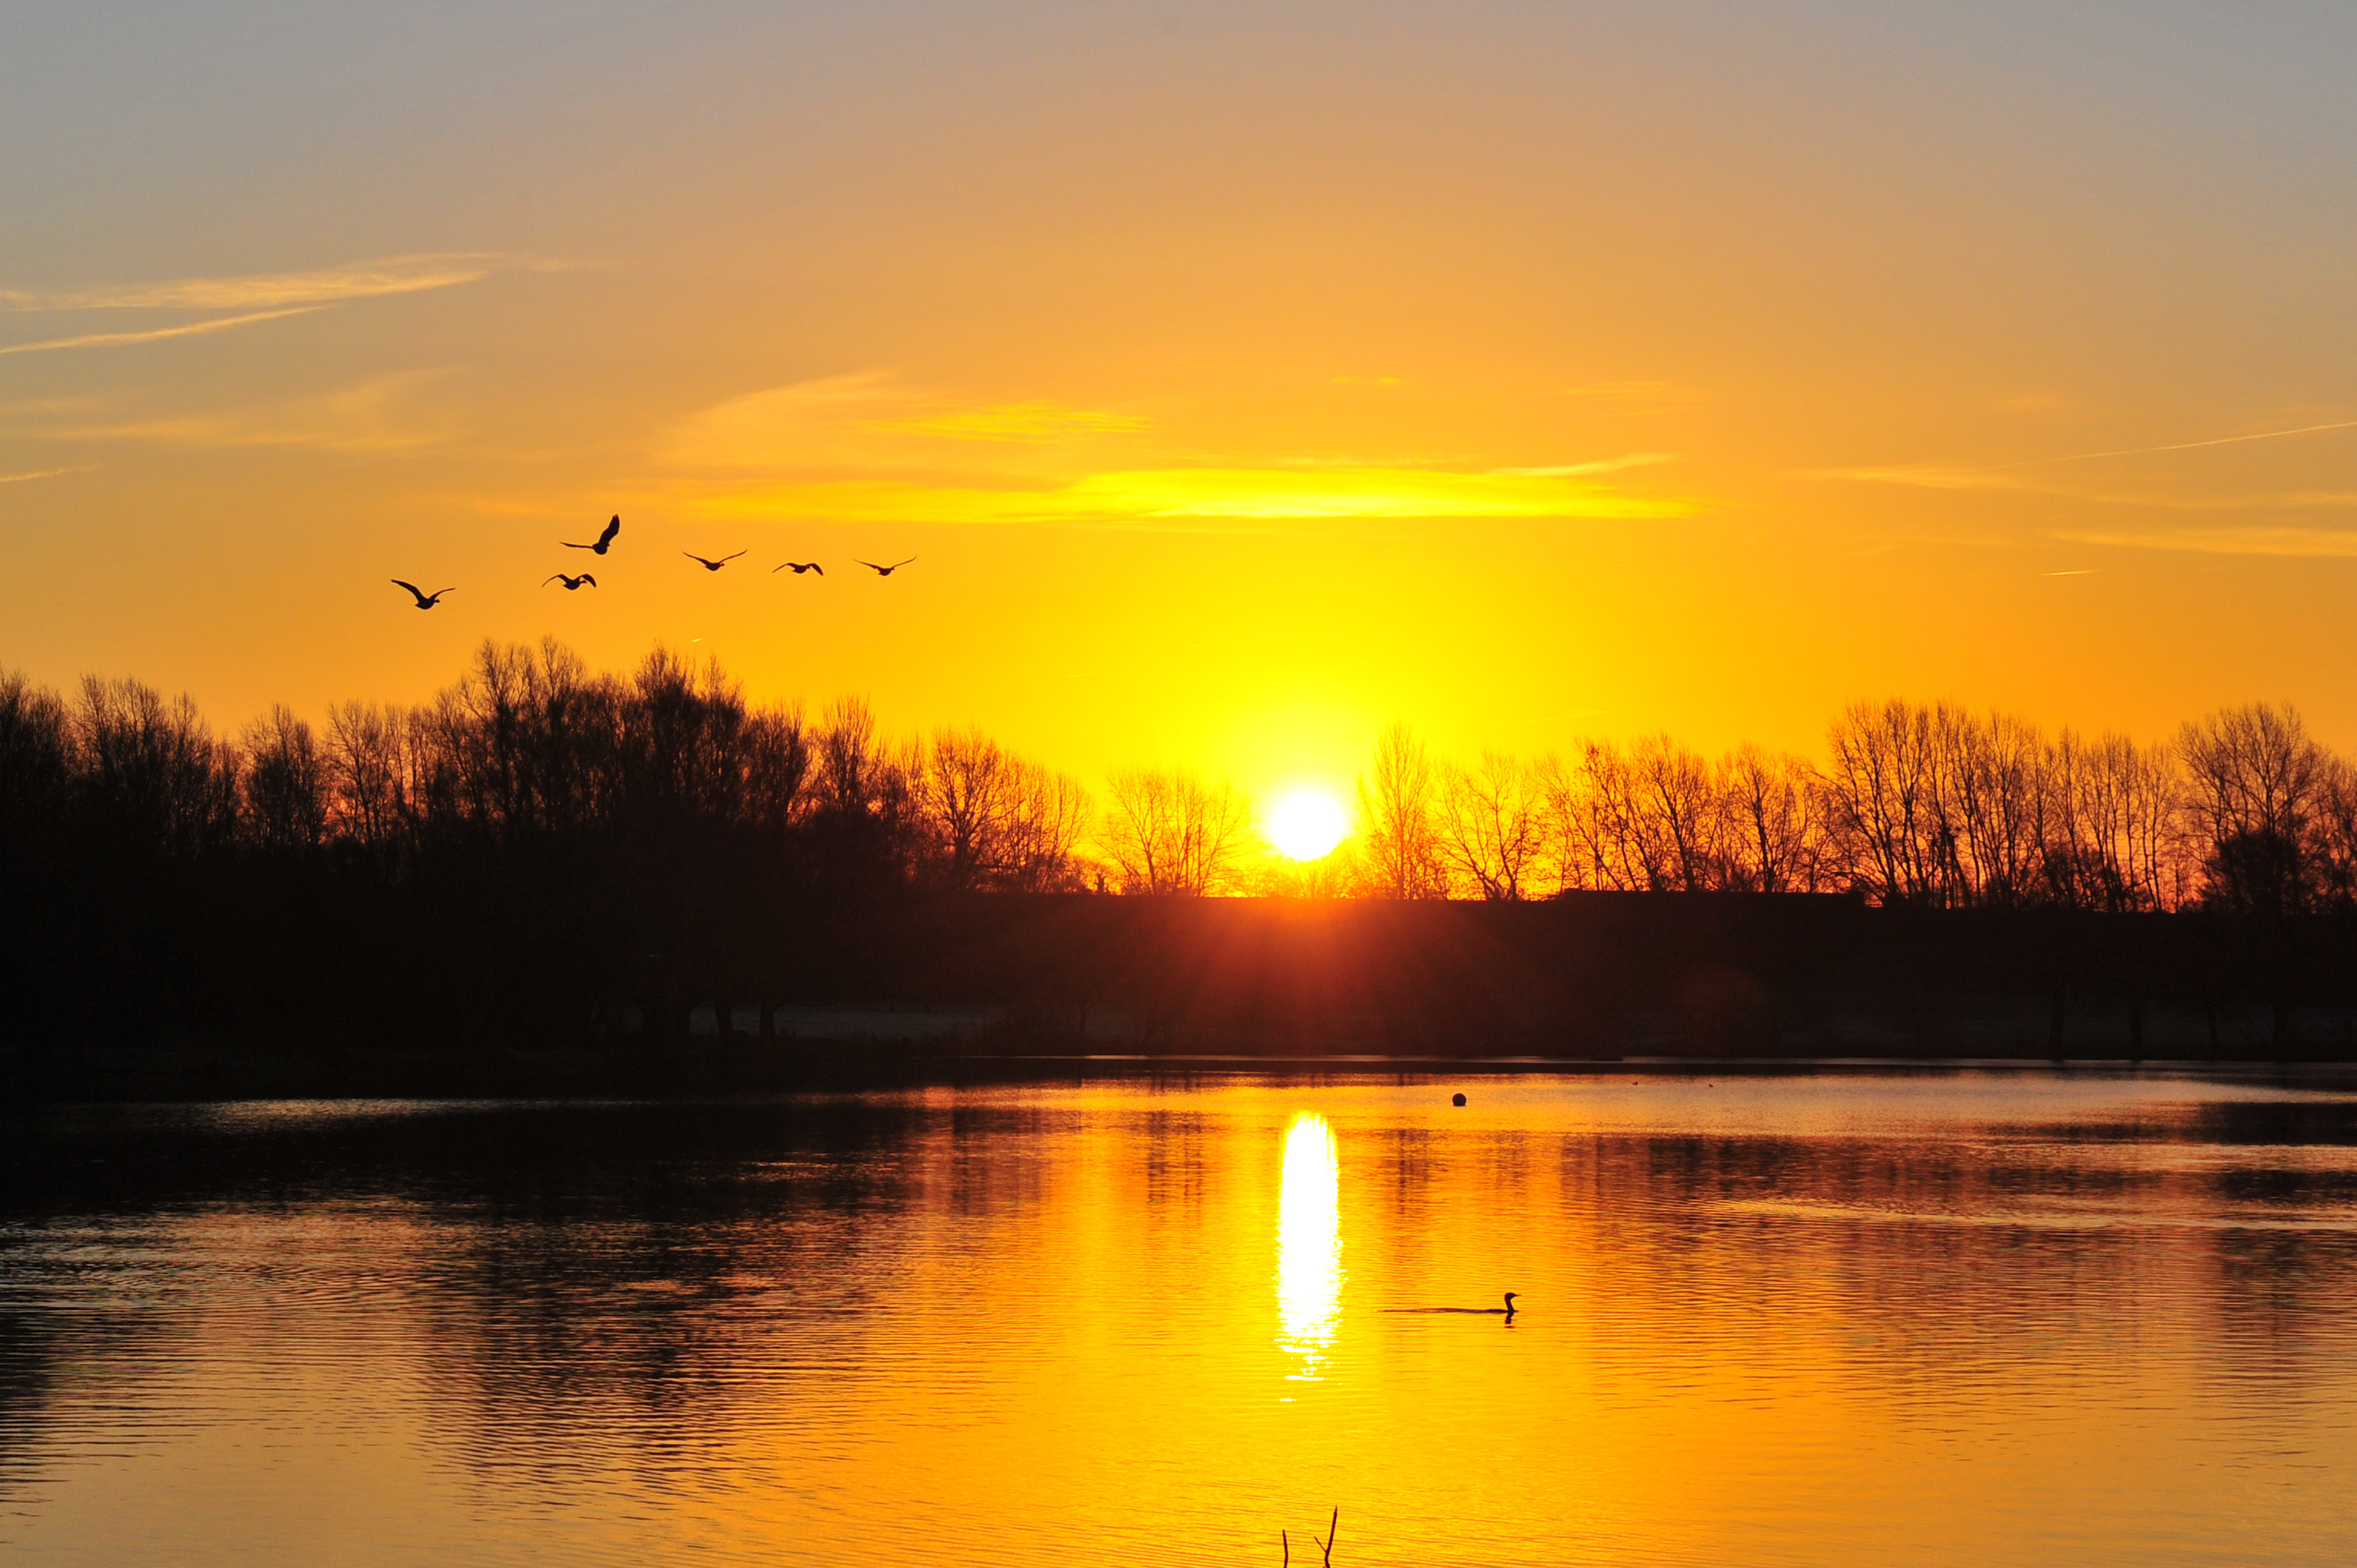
{"x": 532, "y": 756}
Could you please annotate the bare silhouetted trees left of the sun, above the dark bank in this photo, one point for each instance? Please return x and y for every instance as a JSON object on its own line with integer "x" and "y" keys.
{"x": 524, "y": 753}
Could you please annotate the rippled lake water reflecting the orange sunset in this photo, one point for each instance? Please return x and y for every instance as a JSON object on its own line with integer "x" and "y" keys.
{"x": 1828, "y": 1319}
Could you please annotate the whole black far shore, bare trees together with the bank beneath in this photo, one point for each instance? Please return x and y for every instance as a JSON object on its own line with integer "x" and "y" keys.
{"x": 548, "y": 857}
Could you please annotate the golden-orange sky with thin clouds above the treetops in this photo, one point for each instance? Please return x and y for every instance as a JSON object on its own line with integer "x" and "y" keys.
{"x": 1239, "y": 376}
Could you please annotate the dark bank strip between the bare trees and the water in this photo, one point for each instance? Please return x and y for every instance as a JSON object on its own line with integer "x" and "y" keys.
{"x": 378, "y": 996}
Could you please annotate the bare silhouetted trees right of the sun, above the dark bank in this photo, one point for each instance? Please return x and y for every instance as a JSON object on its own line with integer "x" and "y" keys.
{"x": 1917, "y": 805}
